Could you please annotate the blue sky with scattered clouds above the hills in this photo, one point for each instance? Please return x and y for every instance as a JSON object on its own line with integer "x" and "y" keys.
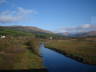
{"x": 53, "y": 15}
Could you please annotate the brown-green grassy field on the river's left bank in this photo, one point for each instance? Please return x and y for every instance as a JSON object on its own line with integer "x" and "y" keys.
{"x": 17, "y": 53}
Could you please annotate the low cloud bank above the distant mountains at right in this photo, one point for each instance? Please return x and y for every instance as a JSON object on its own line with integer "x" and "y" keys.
{"x": 84, "y": 27}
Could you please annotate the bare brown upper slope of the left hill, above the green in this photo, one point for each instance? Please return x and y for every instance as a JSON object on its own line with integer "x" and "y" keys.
{"x": 26, "y": 29}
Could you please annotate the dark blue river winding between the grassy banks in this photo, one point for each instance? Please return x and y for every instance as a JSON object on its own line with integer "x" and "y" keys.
{"x": 56, "y": 62}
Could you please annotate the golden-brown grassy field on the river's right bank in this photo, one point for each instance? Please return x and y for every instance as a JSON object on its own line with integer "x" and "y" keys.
{"x": 83, "y": 50}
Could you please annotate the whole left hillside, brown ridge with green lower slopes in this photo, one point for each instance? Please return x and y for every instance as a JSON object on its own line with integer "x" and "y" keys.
{"x": 28, "y": 31}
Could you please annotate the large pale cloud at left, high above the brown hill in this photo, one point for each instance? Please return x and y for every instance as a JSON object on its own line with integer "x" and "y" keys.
{"x": 15, "y": 16}
